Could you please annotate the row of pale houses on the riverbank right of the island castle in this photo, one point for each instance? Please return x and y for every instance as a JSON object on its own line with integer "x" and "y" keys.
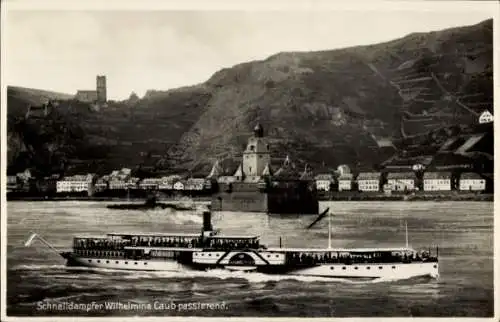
{"x": 400, "y": 181}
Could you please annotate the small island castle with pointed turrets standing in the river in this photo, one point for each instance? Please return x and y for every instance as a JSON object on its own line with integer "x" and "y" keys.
{"x": 254, "y": 187}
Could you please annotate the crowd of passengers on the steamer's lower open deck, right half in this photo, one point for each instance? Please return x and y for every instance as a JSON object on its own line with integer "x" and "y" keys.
{"x": 324, "y": 258}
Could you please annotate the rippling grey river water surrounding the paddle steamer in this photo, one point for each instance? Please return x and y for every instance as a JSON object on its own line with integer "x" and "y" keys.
{"x": 38, "y": 279}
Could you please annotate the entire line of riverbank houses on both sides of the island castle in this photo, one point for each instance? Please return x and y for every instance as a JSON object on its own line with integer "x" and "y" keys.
{"x": 122, "y": 180}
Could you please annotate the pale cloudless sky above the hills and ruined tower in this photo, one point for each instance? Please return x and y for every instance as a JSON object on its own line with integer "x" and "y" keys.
{"x": 63, "y": 50}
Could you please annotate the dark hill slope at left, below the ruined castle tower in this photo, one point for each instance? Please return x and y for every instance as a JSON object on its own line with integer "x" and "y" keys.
{"x": 120, "y": 135}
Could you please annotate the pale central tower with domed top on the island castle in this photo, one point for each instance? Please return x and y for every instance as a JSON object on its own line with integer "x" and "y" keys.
{"x": 257, "y": 155}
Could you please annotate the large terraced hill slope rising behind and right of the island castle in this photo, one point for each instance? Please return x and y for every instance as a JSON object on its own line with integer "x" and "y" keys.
{"x": 330, "y": 105}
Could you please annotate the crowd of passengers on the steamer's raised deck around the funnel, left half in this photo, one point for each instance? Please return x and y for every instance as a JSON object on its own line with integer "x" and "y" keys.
{"x": 179, "y": 242}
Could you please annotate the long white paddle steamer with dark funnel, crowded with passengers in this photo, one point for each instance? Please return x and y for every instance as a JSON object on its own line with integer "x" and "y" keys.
{"x": 209, "y": 250}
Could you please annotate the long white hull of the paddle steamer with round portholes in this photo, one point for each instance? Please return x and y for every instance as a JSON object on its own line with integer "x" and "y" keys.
{"x": 353, "y": 271}
